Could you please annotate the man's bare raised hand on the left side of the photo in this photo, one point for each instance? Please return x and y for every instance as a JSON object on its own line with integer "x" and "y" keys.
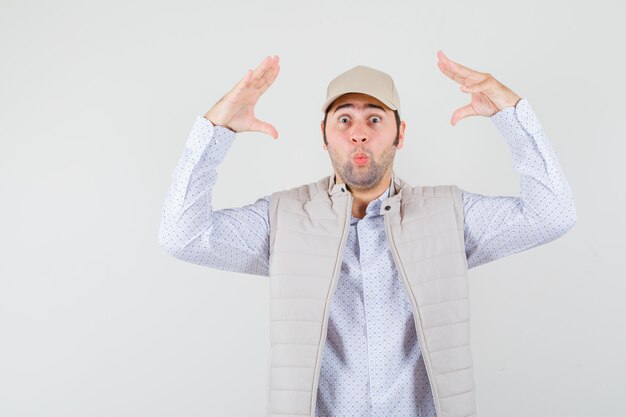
{"x": 235, "y": 110}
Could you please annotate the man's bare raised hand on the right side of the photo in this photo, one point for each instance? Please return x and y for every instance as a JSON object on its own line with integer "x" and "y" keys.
{"x": 489, "y": 96}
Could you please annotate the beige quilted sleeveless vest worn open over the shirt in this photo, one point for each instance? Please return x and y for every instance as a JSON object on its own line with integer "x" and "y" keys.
{"x": 424, "y": 227}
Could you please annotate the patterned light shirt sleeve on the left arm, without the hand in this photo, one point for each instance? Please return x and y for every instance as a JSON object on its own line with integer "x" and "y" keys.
{"x": 232, "y": 239}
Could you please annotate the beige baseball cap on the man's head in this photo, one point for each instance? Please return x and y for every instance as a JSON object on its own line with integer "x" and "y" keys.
{"x": 366, "y": 80}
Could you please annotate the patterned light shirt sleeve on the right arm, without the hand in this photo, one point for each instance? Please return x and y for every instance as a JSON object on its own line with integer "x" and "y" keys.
{"x": 497, "y": 226}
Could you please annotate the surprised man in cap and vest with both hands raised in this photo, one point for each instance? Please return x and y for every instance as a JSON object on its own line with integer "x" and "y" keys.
{"x": 368, "y": 275}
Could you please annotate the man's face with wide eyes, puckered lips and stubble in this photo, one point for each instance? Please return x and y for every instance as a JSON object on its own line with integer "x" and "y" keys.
{"x": 361, "y": 131}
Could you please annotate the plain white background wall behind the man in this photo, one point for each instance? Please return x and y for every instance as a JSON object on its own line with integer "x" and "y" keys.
{"x": 97, "y": 100}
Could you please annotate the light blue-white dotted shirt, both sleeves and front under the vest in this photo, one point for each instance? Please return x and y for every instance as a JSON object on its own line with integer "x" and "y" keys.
{"x": 372, "y": 364}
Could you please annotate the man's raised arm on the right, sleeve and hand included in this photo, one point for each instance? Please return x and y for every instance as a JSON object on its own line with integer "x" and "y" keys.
{"x": 498, "y": 226}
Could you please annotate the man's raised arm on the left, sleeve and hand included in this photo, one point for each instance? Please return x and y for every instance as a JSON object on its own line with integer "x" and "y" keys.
{"x": 235, "y": 239}
